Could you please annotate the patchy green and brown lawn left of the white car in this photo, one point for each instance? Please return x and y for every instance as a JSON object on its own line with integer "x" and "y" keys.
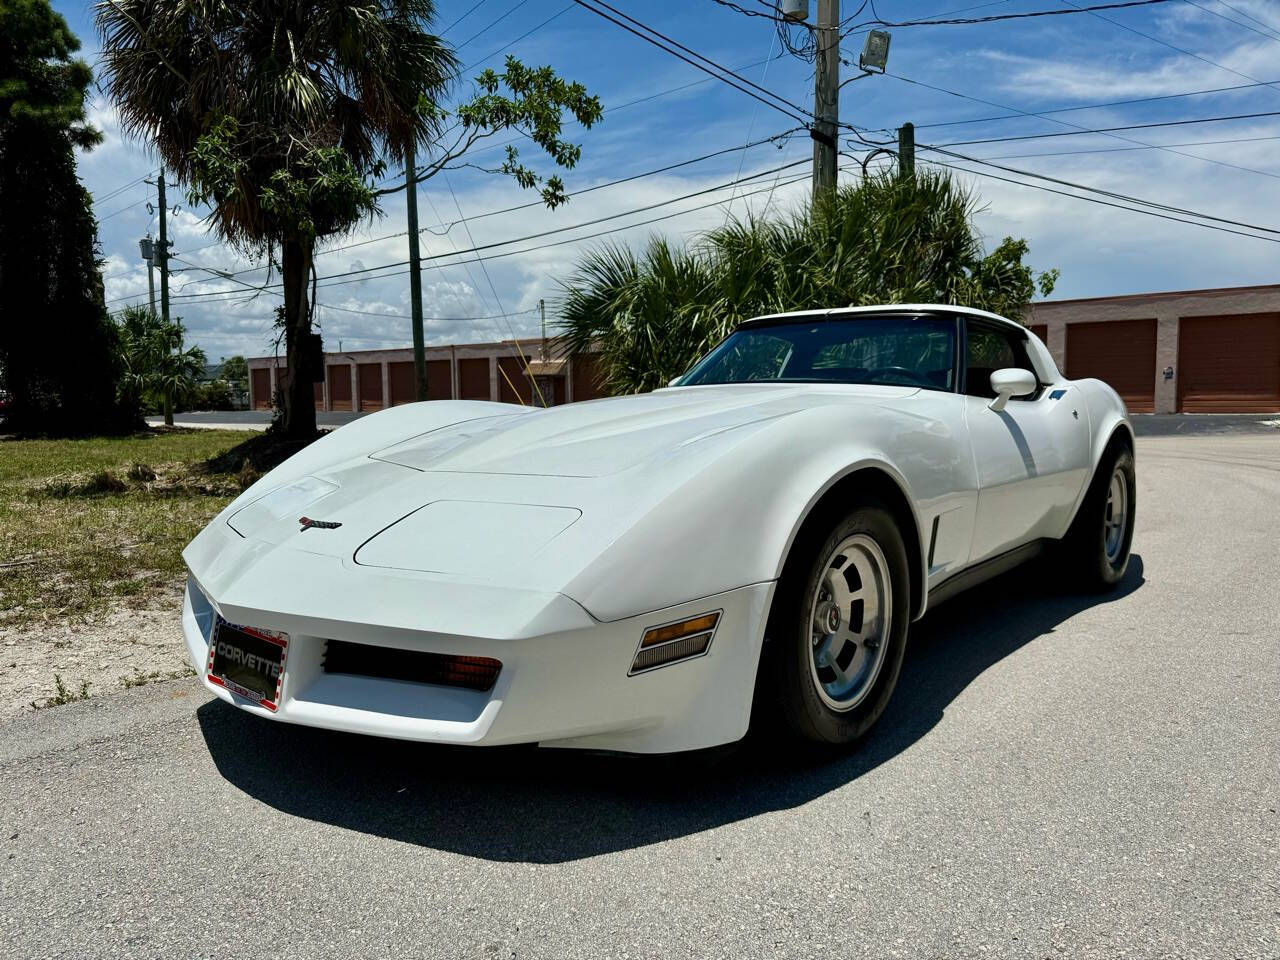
{"x": 89, "y": 524}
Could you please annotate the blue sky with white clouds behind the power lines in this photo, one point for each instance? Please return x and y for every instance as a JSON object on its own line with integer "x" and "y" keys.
{"x": 1100, "y": 250}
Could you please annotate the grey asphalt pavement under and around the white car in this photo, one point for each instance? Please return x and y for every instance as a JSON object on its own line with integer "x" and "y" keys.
{"x": 1058, "y": 776}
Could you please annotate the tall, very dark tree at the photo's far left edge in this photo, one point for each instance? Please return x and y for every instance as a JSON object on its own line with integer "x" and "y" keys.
{"x": 58, "y": 358}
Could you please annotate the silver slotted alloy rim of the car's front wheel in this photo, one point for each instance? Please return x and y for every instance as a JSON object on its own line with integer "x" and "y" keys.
{"x": 851, "y": 621}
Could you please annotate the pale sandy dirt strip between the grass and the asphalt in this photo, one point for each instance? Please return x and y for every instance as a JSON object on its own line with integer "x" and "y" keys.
{"x": 121, "y": 648}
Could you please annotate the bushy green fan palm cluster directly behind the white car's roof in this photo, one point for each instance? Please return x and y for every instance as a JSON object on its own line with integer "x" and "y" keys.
{"x": 890, "y": 240}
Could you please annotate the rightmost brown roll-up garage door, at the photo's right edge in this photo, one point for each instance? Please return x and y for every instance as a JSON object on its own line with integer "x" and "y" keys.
{"x": 1229, "y": 364}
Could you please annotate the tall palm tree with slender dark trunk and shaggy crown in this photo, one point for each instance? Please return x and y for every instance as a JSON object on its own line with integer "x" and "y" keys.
{"x": 276, "y": 112}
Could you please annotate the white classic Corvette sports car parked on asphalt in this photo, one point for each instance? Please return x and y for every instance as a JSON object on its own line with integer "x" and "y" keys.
{"x": 632, "y": 574}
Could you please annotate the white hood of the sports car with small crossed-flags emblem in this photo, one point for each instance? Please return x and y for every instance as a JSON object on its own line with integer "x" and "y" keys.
{"x": 528, "y": 497}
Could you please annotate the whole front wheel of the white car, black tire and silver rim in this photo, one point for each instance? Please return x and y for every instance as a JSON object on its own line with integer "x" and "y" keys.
{"x": 839, "y": 628}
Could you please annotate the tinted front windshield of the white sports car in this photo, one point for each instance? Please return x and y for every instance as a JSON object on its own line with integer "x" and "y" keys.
{"x": 872, "y": 349}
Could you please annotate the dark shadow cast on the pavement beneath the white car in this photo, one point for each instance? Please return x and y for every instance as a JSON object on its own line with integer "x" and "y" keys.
{"x": 522, "y": 804}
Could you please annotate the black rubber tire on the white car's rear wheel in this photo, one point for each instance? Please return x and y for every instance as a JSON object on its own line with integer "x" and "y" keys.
{"x": 1087, "y": 543}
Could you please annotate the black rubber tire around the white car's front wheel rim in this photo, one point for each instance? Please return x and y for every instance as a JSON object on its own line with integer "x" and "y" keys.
{"x": 789, "y": 665}
